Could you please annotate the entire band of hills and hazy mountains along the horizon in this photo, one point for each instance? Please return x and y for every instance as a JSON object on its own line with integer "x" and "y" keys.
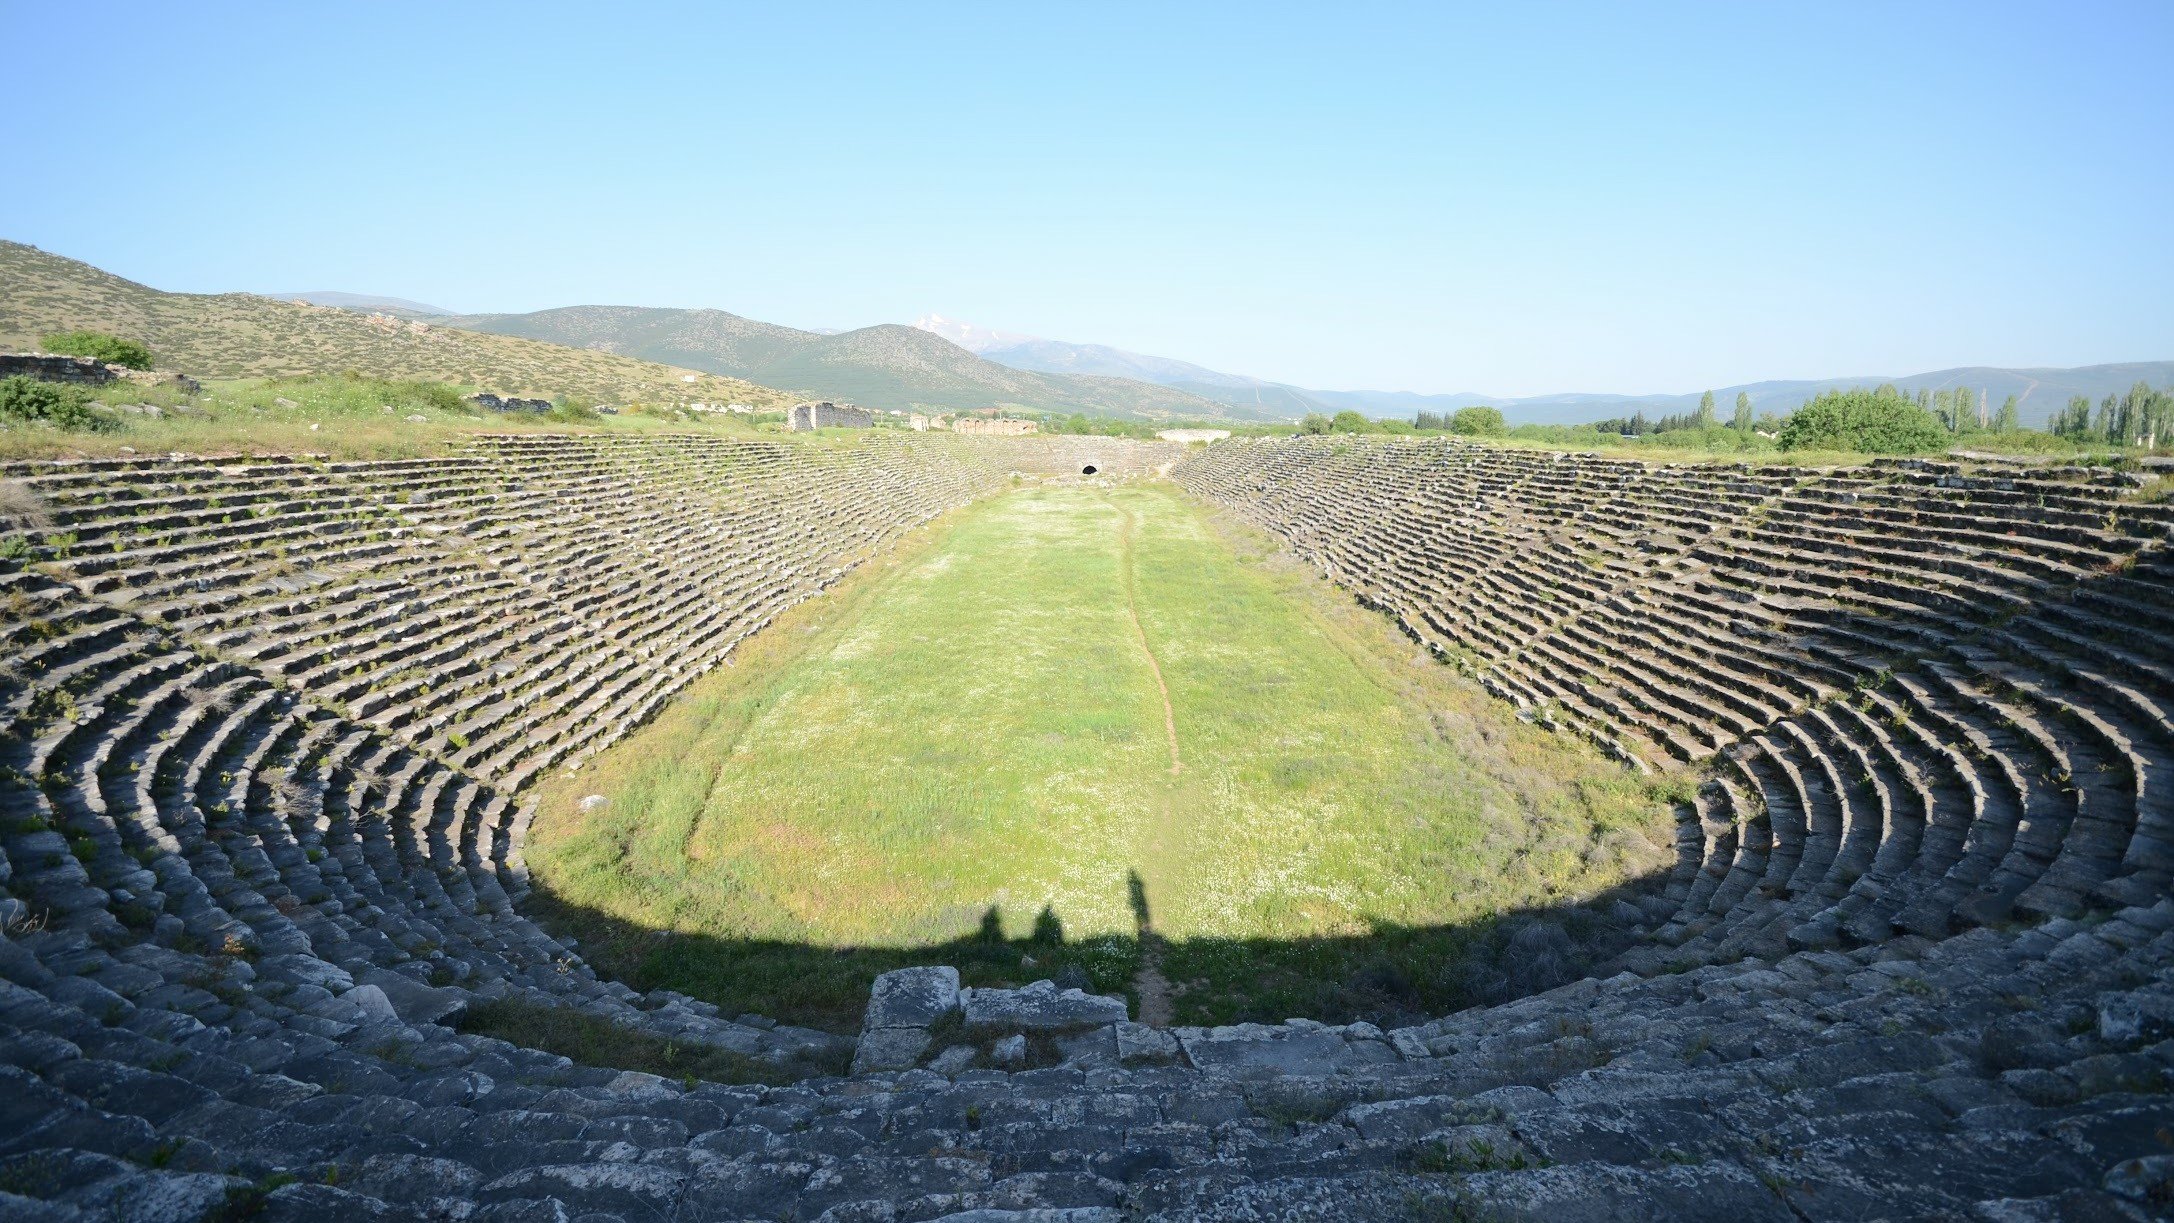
{"x": 934, "y": 364}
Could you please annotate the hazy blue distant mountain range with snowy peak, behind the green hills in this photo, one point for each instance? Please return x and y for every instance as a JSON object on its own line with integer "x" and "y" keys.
{"x": 2038, "y": 392}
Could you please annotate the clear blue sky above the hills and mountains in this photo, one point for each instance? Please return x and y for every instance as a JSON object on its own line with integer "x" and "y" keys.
{"x": 1508, "y": 199}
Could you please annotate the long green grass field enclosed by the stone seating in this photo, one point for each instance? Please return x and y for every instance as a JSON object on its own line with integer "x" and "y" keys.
{"x": 964, "y": 755}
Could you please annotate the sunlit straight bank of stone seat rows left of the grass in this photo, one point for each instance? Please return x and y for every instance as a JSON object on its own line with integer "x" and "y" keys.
{"x": 462, "y": 644}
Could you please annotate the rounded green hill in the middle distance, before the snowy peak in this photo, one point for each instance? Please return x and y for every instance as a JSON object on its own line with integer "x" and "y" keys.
{"x": 884, "y": 366}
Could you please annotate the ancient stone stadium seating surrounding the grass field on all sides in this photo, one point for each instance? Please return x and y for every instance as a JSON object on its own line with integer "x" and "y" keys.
{"x": 277, "y": 733}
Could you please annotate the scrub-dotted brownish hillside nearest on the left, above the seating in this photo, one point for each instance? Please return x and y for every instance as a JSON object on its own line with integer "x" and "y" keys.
{"x": 242, "y": 336}
